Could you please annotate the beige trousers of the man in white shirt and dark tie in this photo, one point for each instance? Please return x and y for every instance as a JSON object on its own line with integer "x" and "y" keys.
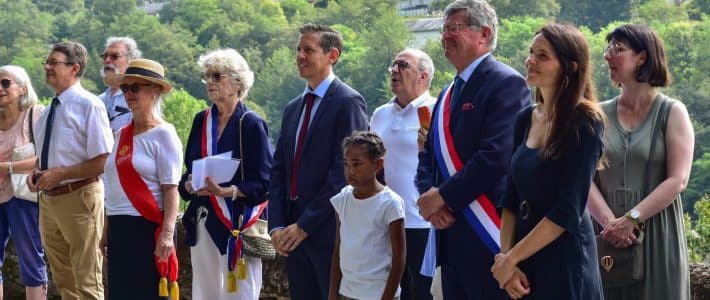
{"x": 71, "y": 226}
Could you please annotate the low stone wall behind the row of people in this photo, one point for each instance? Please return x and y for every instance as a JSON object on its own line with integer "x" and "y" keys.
{"x": 274, "y": 277}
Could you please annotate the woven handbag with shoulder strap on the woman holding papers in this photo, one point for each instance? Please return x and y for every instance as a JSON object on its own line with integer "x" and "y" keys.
{"x": 256, "y": 238}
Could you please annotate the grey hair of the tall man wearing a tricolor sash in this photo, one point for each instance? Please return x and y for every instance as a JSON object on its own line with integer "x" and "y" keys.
{"x": 480, "y": 14}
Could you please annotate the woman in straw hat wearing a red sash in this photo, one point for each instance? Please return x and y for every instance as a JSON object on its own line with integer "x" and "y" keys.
{"x": 142, "y": 174}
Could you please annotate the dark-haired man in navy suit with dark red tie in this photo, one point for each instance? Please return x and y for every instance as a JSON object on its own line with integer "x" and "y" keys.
{"x": 308, "y": 163}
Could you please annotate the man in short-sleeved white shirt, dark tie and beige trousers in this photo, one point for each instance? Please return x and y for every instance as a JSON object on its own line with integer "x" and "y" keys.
{"x": 72, "y": 196}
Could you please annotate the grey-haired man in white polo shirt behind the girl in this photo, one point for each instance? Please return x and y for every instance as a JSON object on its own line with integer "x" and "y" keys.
{"x": 397, "y": 123}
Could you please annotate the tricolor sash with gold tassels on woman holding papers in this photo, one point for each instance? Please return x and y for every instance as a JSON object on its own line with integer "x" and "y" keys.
{"x": 224, "y": 207}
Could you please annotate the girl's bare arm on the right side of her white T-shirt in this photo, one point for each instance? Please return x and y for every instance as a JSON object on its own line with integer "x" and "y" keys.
{"x": 399, "y": 248}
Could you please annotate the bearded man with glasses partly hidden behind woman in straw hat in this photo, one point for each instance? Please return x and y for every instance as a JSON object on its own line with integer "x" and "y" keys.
{"x": 118, "y": 53}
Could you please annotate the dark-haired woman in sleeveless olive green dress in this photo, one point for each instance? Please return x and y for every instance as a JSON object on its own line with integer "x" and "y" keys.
{"x": 618, "y": 200}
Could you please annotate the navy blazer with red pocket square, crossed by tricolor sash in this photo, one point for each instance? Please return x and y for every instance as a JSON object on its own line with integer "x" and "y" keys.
{"x": 482, "y": 129}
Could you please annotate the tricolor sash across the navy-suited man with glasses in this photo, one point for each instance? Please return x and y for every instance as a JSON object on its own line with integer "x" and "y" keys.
{"x": 480, "y": 213}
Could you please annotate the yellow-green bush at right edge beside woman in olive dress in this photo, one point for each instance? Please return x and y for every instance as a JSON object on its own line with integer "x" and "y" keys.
{"x": 697, "y": 232}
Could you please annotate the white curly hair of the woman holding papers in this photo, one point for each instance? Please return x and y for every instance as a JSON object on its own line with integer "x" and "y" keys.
{"x": 229, "y": 61}
